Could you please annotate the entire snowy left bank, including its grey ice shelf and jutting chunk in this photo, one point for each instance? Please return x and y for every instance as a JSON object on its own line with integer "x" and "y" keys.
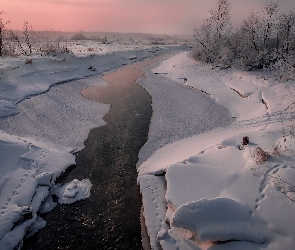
{"x": 43, "y": 120}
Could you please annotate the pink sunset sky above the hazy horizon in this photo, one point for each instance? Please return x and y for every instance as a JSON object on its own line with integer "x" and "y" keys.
{"x": 147, "y": 16}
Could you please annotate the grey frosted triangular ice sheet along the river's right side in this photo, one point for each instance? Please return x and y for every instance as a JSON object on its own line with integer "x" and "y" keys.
{"x": 178, "y": 112}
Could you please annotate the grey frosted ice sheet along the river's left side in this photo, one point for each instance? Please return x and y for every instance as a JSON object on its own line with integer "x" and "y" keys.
{"x": 63, "y": 107}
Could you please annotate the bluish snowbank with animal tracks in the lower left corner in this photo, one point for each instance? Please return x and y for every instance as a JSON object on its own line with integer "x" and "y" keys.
{"x": 28, "y": 170}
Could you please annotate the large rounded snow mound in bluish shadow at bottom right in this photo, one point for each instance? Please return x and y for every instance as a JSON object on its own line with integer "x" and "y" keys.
{"x": 220, "y": 219}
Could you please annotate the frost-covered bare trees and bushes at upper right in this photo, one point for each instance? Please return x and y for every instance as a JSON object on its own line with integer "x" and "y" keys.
{"x": 265, "y": 40}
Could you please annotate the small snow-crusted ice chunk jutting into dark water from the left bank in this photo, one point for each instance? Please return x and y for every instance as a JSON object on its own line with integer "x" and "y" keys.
{"x": 73, "y": 191}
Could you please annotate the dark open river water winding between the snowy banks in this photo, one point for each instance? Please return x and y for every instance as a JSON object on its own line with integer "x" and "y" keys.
{"x": 110, "y": 217}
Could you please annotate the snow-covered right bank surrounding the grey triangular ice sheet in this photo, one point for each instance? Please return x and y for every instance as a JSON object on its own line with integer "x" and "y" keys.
{"x": 210, "y": 191}
